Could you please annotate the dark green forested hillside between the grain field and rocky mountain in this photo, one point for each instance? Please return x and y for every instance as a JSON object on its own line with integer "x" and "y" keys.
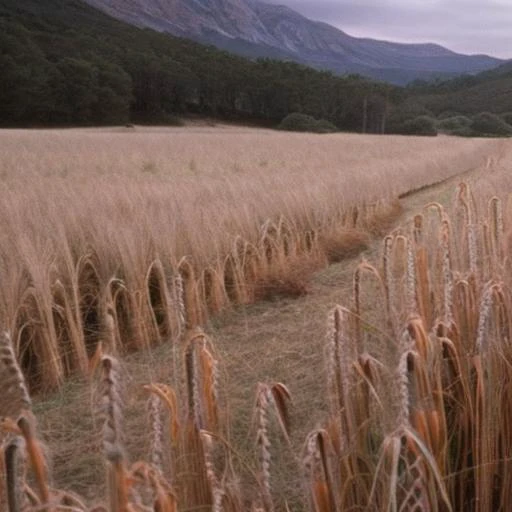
{"x": 63, "y": 63}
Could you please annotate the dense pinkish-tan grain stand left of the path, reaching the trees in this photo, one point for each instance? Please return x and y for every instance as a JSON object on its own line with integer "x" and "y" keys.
{"x": 102, "y": 220}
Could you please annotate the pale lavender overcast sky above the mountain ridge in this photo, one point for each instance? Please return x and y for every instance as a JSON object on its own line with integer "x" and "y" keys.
{"x": 466, "y": 26}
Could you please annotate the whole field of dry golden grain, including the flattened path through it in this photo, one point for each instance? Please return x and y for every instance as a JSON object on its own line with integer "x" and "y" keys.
{"x": 364, "y": 385}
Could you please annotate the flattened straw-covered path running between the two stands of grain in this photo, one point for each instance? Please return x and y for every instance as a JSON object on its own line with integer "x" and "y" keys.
{"x": 280, "y": 341}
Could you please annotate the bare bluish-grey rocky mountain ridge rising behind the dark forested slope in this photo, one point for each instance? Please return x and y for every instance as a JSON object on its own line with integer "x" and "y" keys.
{"x": 257, "y": 29}
